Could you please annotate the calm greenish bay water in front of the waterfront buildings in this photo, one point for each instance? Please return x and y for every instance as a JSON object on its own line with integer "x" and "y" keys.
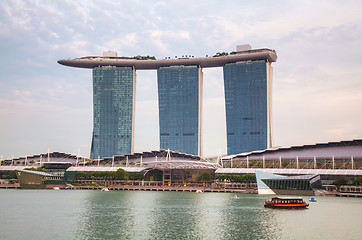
{"x": 83, "y": 214}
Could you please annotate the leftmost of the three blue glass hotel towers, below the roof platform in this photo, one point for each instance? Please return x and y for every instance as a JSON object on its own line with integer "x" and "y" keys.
{"x": 113, "y": 111}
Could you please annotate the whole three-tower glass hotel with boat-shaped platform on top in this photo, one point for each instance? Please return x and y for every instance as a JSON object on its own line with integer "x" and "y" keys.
{"x": 248, "y": 78}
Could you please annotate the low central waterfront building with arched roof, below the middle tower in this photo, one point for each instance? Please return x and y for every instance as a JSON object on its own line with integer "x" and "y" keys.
{"x": 160, "y": 167}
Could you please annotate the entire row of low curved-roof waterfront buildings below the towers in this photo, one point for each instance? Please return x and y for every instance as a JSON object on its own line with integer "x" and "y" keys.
{"x": 175, "y": 168}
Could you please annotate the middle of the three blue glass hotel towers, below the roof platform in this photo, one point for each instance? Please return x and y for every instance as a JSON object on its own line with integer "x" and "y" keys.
{"x": 179, "y": 98}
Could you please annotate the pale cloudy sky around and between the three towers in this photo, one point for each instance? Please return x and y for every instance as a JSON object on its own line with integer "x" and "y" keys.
{"x": 44, "y": 106}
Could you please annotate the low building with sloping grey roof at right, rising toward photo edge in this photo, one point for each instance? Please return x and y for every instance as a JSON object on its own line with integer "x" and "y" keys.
{"x": 331, "y": 156}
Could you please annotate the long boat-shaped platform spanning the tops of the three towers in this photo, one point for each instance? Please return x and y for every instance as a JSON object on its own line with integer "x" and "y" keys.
{"x": 204, "y": 62}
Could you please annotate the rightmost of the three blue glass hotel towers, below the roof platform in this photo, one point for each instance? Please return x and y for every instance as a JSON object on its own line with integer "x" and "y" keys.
{"x": 247, "y": 103}
